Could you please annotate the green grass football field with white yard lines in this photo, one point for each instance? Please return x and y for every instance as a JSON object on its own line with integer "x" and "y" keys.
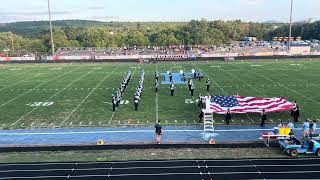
{"x": 78, "y": 95}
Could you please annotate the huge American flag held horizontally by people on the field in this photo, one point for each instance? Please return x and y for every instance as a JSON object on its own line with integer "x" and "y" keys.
{"x": 242, "y": 104}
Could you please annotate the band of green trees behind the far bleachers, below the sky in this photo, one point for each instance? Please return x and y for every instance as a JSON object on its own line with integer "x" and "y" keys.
{"x": 113, "y": 35}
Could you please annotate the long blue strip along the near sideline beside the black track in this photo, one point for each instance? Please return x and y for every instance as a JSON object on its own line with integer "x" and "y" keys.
{"x": 191, "y": 134}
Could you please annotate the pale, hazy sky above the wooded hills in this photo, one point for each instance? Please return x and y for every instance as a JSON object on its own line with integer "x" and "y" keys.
{"x": 159, "y": 10}
